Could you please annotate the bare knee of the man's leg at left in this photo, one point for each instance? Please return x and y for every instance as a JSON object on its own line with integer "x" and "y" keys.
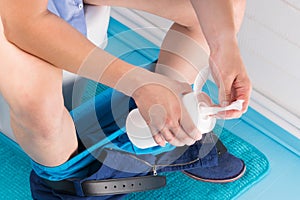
{"x": 39, "y": 112}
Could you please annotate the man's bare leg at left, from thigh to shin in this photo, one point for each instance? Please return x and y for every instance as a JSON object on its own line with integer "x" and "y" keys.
{"x": 33, "y": 90}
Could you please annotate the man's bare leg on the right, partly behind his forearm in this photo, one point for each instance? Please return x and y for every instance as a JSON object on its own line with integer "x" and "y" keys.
{"x": 186, "y": 33}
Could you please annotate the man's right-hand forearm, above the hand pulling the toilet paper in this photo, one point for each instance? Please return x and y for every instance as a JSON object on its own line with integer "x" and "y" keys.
{"x": 216, "y": 18}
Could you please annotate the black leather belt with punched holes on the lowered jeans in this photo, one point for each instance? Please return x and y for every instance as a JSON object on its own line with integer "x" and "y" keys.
{"x": 110, "y": 186}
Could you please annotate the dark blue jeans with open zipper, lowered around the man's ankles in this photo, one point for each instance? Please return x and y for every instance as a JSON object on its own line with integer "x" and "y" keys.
{"x": 118, "y": 164}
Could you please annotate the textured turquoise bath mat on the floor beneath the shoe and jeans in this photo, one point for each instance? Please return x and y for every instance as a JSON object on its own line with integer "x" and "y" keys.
{"x": 15, "y": 168}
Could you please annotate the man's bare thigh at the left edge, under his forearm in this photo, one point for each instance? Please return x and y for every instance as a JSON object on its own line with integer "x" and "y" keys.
{"x": 22, "y": 74}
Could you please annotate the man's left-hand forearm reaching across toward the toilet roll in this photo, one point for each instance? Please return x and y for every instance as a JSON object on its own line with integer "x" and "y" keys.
{"x": 48, "y": 37}
